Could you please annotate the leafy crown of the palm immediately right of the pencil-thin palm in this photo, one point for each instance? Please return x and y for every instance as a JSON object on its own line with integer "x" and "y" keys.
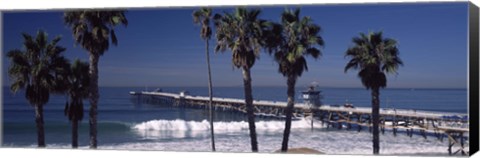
{"x": 242, "y": 33}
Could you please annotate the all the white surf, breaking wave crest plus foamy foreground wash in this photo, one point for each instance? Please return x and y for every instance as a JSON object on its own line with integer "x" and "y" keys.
{"x": 180, "y": 135}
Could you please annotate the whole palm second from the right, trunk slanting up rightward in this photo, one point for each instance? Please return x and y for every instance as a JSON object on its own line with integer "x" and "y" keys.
{"x": 291, "y": 42}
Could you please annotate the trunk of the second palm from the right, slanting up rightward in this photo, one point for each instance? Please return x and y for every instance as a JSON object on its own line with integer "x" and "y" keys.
{"x": 289, "y": 111}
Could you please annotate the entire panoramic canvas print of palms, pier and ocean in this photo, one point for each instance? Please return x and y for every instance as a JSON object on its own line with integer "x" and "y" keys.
{"x": 360, "y": 79}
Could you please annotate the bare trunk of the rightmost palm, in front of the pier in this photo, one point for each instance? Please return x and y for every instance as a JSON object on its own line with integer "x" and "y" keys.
{"x": 375, "y": 119}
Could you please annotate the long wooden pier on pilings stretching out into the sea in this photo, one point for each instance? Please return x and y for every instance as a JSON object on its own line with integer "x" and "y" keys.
{"x": 408, "y": 121}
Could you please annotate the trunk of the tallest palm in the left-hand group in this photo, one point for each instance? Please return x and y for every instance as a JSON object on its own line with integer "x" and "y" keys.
{"x": 94, "y": 57}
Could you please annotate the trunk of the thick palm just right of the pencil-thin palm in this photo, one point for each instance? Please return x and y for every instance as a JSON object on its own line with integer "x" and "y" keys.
{"x": 247, "y": 85}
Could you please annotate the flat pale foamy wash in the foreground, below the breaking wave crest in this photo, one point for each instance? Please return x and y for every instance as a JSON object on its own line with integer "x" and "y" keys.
{"x": 328, "y": 141}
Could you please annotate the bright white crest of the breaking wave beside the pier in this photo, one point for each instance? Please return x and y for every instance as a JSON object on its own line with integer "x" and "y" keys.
{"x": 167, "y": 129}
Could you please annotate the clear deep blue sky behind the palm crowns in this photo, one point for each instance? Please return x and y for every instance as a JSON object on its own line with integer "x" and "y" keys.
{"x": 162, "y": 46}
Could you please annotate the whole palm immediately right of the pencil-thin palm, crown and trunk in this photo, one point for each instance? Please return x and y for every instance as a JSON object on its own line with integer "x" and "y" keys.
{"x": 241, "y": 33}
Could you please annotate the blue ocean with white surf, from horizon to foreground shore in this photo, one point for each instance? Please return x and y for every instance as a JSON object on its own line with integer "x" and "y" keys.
{"x": 124, "y": 124}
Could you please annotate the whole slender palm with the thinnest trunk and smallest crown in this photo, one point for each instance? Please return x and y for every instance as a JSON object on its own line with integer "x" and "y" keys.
{"x": 203, "y": 17}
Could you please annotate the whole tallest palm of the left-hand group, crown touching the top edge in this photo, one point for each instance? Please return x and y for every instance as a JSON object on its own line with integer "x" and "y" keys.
{"x": 93, "y": 29}
